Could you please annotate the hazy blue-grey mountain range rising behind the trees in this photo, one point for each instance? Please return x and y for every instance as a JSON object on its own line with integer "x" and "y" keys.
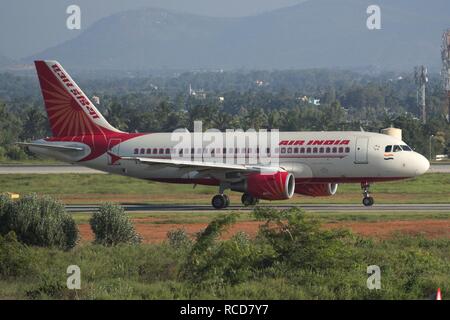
{"x": 312, "y": 34}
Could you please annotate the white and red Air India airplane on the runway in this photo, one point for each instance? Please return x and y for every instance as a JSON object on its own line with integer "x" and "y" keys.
{"x": 309, "y": 163}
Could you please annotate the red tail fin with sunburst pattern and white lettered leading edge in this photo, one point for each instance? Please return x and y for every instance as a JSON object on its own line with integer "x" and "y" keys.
{"x": 69, "y": 110}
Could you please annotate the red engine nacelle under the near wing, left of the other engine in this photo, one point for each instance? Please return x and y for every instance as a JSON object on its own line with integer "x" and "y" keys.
{"x": 275, "y": 186}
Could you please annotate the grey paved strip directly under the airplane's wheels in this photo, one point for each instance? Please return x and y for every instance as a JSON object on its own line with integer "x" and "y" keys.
{"x": 307, "y": 207}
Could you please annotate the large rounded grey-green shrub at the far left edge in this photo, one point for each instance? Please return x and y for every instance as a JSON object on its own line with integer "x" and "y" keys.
{"x": 39, "y": 221}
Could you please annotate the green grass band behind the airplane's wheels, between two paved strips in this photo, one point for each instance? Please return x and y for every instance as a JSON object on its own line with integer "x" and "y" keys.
{"x": 95, "y": 188}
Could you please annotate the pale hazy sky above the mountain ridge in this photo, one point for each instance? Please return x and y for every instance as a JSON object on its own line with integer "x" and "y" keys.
{"x": 27, "y": 27}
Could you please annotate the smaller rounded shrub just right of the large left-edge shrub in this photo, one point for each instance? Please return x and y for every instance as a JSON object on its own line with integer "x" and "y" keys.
{"x": 112, "y": 226}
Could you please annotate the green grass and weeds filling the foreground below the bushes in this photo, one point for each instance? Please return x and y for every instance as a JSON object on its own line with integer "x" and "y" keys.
{"x": 411, "y": 269}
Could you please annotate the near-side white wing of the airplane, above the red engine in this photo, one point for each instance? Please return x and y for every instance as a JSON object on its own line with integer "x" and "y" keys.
{"x": 200, "y": 166}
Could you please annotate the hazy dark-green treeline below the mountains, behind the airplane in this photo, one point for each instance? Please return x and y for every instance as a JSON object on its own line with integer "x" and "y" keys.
{"x": 286, "y": 100}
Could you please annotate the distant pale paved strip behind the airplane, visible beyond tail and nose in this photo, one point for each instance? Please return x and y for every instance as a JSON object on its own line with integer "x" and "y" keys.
{"x": 68, "y": 168}
